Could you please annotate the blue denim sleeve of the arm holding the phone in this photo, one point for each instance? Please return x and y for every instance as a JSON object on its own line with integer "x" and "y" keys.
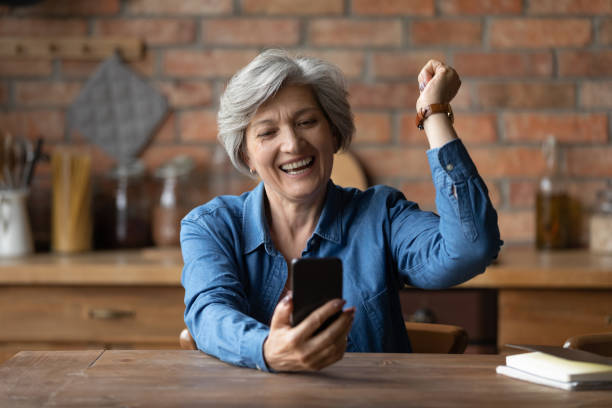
{"x": 216, "y": 307}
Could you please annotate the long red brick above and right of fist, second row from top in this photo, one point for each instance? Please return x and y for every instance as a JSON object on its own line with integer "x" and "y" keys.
{"x": 540, "y": 32}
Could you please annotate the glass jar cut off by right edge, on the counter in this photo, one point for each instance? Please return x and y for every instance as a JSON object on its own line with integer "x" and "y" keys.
{"x": 601, "y": 222}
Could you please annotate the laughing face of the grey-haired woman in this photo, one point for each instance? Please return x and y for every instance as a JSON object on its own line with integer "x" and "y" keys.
{"x": 289, "y": 143}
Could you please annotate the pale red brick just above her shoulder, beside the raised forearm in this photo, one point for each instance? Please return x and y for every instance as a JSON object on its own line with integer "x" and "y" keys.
{"x": 381, "y": 163}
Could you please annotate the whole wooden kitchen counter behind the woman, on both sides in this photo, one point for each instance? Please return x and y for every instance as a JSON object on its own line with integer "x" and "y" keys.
{"x": 134, "y": 299}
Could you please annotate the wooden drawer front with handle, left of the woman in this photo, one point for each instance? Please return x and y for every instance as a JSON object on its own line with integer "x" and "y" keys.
{"x": 87, "y": 314}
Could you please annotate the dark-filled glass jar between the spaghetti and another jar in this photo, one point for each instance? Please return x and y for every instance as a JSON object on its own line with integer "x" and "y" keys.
{"x": 123, "y": 208}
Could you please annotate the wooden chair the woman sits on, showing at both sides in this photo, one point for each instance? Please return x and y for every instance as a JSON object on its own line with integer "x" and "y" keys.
{"x": 424, "y": 337}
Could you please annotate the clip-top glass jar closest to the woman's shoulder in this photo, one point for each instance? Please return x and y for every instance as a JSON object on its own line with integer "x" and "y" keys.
{"x": 171, "y": 206}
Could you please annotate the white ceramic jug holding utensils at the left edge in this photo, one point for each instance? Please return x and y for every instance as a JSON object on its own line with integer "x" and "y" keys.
{"x": 15, "y": 232}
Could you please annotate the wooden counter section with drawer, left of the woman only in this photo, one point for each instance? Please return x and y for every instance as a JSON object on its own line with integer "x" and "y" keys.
{"x": 118, "y": 300}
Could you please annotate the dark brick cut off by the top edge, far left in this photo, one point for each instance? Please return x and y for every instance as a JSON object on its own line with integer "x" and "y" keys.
{"x": 72, "y": 8}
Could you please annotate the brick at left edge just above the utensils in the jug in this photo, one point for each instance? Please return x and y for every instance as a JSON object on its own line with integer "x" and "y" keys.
{"x": 34, "y": 124}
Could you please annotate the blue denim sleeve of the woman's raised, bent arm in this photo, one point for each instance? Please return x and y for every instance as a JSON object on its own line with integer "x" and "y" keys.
{"x": 438, "y": 251}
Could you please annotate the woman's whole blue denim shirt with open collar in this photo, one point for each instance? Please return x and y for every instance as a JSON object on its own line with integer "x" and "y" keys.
{"x": 233, "y": 275}
